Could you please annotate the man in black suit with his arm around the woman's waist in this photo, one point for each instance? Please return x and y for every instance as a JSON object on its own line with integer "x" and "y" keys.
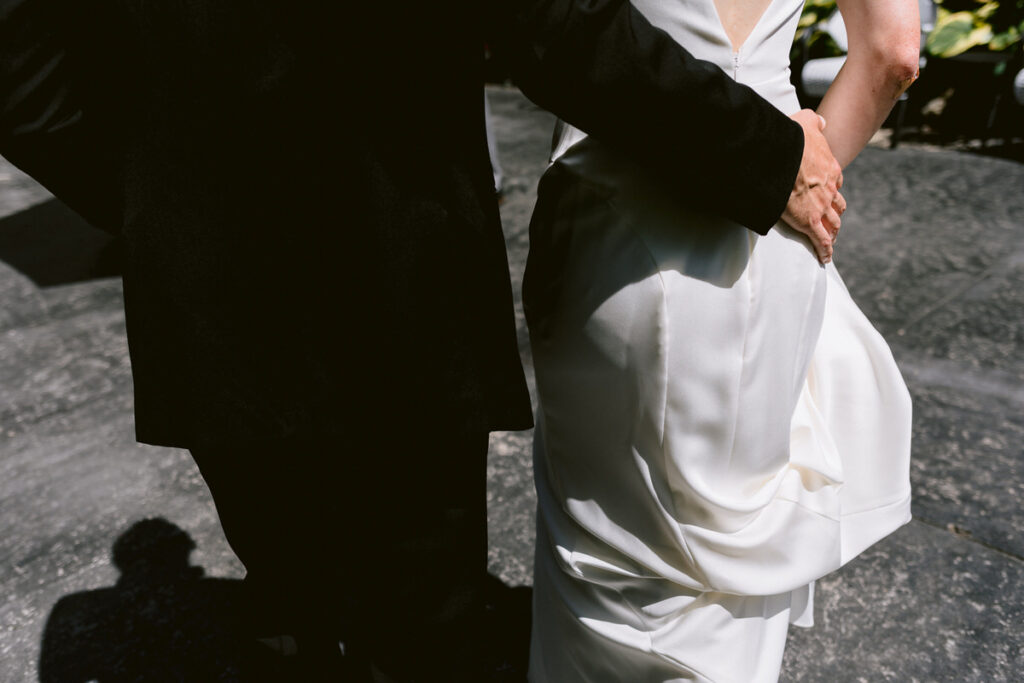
{"x": 317, "y": 289}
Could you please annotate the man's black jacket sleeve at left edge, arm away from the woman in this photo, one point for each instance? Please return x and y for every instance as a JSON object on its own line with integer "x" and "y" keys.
{"x": 48, "y": 129}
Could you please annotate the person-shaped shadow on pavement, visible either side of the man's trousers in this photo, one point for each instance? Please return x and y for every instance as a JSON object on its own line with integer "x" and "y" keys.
{"x": 165, "y": 621}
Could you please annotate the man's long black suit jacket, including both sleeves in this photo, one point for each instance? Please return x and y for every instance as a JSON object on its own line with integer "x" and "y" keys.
{"x": 305, "y": 193}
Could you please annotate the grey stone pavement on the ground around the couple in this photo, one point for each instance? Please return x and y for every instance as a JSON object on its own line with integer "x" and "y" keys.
{"x": 931, "y": 249}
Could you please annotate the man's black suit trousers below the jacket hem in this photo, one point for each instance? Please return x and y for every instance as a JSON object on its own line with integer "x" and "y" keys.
{"x": 380, "y": 543}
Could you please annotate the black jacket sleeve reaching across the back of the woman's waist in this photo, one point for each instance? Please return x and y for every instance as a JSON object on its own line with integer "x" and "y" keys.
{"x": 601, "y": 66}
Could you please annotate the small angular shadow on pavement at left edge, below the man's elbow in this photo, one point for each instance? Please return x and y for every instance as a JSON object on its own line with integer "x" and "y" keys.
{"x": 53, "y": 245}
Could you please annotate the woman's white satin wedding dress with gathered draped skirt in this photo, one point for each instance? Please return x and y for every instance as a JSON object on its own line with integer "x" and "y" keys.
{"x": 719, "y": 424}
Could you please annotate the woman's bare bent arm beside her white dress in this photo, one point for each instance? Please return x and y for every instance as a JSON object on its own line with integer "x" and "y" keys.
{"x": 885, "y": 40}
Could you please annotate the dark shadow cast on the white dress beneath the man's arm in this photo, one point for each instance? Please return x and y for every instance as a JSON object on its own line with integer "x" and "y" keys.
{"x": 605, "y": 217}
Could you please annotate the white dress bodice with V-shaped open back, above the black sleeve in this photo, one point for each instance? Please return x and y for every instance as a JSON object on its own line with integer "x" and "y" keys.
{"x": 761, "y": 63}
